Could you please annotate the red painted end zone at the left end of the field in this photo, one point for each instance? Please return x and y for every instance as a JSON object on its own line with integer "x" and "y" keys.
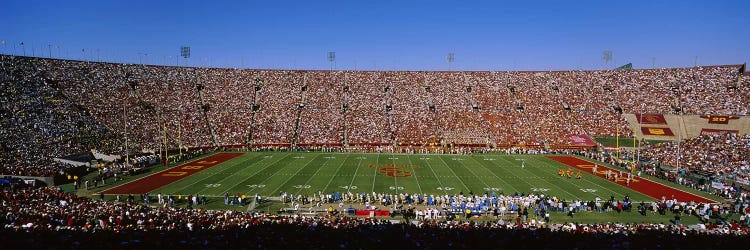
{"x": 170, "y": 175}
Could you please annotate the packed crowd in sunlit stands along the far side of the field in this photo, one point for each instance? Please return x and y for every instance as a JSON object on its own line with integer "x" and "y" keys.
{"x": 204, "y": 107}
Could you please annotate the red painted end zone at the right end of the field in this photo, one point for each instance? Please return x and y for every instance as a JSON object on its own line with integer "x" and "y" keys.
{"x": 644, "y": 186}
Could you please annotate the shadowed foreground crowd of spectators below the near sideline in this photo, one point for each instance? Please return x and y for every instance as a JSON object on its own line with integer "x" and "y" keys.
{"x": 63, "y": 220}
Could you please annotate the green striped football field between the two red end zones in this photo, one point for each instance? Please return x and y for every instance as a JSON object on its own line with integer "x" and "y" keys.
{"x": 269, "y": 173}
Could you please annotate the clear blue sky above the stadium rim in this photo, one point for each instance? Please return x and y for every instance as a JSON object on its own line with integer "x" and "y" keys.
{"x": 384, "y": 35}
